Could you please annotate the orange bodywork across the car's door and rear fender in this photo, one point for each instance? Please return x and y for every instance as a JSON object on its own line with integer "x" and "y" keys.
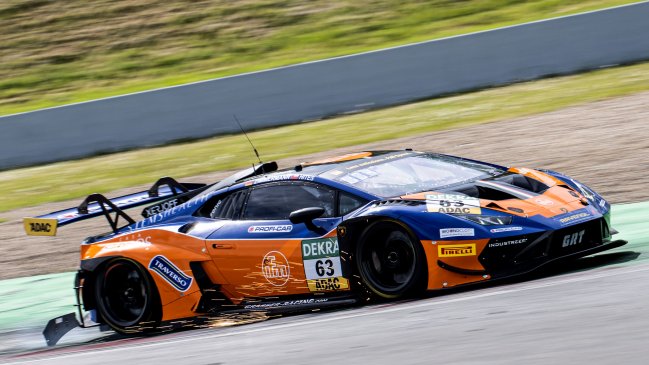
{"x": 244, "y": 268}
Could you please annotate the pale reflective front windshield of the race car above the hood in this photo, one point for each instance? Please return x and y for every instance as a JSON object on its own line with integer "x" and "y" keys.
{"x": 411, "y": 174}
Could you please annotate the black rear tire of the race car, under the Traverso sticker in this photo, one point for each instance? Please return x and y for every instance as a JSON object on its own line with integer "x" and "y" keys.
{"x": 126, "y": 297}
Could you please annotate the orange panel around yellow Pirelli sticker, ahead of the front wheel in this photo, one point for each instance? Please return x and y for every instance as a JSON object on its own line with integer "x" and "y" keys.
{"x": 439, "y": 278}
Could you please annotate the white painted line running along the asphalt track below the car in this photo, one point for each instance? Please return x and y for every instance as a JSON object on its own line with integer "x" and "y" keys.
{"x": 368, "y": 311}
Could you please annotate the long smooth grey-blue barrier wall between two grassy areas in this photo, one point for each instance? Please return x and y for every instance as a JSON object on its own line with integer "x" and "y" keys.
{"x": 319, "y": 89}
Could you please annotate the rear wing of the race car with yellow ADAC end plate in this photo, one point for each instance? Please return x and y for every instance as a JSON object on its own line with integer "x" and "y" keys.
{"x": 95, "y": 205}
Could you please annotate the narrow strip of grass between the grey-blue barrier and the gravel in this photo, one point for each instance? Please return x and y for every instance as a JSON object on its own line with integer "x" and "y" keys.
{"x": 74, "y": 179}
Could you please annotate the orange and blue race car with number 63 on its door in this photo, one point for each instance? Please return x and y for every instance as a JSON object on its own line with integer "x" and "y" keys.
{"x": 377, "y": 224}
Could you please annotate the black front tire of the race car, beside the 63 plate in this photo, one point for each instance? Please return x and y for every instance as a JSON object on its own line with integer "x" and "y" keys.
{"x": 390, "y": 261}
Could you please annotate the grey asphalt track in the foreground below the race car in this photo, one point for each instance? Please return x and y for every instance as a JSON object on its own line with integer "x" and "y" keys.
{"x": 592, "y": 311}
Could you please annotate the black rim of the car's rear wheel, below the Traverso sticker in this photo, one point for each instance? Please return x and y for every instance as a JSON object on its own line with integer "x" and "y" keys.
{"x": 124, "y": 294}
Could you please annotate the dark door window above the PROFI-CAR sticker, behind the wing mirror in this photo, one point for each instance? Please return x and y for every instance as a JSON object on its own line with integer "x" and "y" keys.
{"x": 278, "y": 201}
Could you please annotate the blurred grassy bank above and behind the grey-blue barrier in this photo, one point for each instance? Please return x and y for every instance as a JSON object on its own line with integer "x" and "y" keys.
{"x": 59, "y": 52}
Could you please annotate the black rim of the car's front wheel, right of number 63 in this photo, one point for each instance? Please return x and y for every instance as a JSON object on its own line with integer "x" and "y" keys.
{"x": 388, "y": 261}
